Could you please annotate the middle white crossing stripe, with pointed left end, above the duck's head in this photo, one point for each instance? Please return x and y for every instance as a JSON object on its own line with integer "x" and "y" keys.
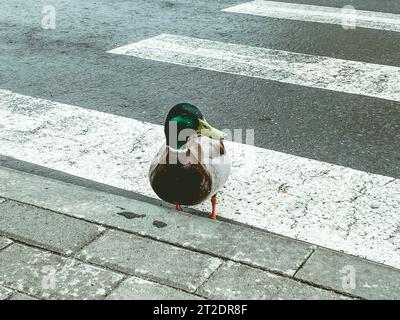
{"x": 347, "y": 76}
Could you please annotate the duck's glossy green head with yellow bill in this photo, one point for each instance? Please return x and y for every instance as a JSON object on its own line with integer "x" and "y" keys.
{"x": 184, "y": 120}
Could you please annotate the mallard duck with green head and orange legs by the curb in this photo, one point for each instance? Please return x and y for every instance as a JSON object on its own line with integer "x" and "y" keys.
{"x": 193, "y": 164}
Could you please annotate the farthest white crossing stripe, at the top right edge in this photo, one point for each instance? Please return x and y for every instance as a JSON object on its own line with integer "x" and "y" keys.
{"x": 303, "y": 12}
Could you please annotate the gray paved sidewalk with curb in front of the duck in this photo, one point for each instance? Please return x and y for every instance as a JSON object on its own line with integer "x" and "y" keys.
{"x": 62, "y": 241}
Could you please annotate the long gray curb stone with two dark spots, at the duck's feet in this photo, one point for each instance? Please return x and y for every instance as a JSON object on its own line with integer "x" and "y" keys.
{"x": 257, "y": 248}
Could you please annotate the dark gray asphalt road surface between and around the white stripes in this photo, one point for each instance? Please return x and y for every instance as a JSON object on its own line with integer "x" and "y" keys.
{"x": 70, "y": 64}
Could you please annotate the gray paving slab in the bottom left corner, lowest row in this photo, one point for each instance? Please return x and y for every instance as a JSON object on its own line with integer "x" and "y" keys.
{"x": 46, "y": 275}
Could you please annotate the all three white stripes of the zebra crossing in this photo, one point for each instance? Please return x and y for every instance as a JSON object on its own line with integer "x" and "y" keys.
{"x": 325, "y": 204}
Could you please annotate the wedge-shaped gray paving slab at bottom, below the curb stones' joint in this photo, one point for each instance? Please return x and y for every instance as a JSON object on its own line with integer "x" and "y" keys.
{"x": 235, "y": 281}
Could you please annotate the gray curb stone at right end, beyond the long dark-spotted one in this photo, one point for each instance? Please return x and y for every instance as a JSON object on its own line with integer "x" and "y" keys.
{"x": 335, "y": 270}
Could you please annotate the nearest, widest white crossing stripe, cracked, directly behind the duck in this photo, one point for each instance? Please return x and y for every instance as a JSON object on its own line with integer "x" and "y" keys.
{"x": 325, "y": 204}
